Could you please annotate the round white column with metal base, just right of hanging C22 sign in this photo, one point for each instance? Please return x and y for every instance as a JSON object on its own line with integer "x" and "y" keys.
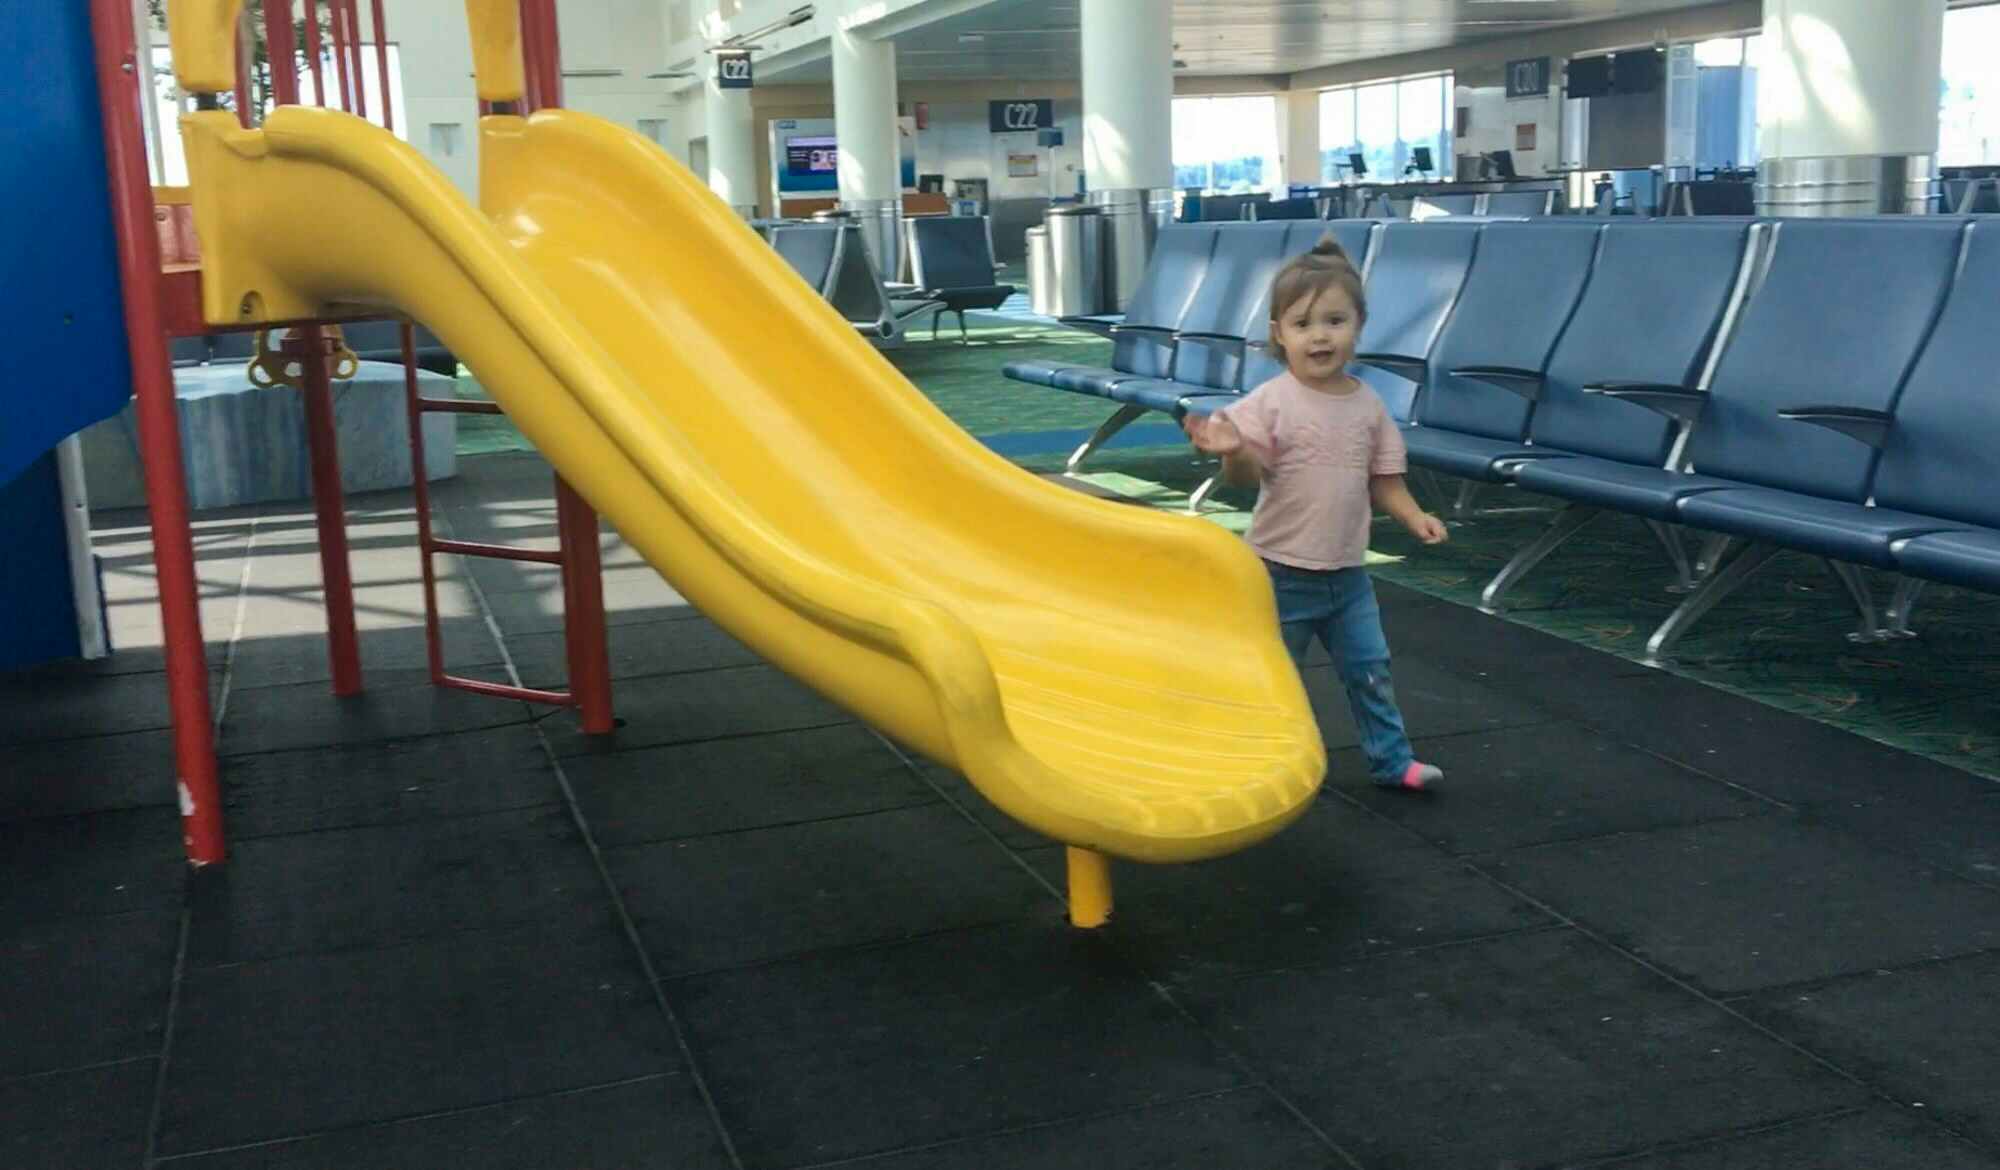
{"x": 1129, "y": 133}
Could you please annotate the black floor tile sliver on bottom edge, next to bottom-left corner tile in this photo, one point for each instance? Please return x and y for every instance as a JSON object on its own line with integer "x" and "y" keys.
{"x": 649, "y": 1123}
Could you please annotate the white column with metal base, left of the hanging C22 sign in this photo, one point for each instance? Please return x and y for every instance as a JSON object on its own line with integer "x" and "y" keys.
{"x": 865, "y": 131}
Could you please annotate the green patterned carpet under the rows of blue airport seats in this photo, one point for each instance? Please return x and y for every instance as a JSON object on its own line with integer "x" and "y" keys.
{"x": 1779, "y": 641}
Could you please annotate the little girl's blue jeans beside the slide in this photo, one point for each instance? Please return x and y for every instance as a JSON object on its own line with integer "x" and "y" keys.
{"x": 1339, "y": 609}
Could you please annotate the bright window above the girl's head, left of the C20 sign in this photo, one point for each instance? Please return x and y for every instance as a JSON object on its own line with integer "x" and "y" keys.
{"x": 1385, "y": 123}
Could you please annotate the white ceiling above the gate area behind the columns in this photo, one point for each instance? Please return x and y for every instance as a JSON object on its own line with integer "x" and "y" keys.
{"x": 1039, "y": 39}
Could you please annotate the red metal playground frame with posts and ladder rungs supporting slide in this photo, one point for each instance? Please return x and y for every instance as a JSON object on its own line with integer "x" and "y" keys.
{"x": 163, "y": 301}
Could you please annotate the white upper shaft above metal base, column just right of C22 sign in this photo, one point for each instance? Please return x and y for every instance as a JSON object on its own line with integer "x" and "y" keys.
{"x": 1129, "y": 95}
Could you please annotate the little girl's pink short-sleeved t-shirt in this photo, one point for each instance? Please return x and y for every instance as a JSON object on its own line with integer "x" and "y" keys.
{"x": 1319, "y": 453}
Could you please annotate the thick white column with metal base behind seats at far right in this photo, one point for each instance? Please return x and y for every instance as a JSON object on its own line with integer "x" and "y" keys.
{"x": 1849, "y": 107}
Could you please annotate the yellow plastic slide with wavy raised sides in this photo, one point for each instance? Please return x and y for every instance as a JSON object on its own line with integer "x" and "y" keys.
{"x": 1107, "y": 675}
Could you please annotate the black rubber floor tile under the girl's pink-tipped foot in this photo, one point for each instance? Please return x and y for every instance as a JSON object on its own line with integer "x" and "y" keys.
{"x": 1541, "y": 785}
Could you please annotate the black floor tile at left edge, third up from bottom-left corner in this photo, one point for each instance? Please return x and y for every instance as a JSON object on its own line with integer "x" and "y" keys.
{"x": 93, "y": 775}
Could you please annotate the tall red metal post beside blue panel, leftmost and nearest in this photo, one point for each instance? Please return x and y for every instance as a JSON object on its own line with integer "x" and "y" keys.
{"x": 159, "y": 427}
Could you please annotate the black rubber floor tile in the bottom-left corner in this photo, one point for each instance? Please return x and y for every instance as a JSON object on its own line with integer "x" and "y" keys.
{"x": 77, "y": 1121}
